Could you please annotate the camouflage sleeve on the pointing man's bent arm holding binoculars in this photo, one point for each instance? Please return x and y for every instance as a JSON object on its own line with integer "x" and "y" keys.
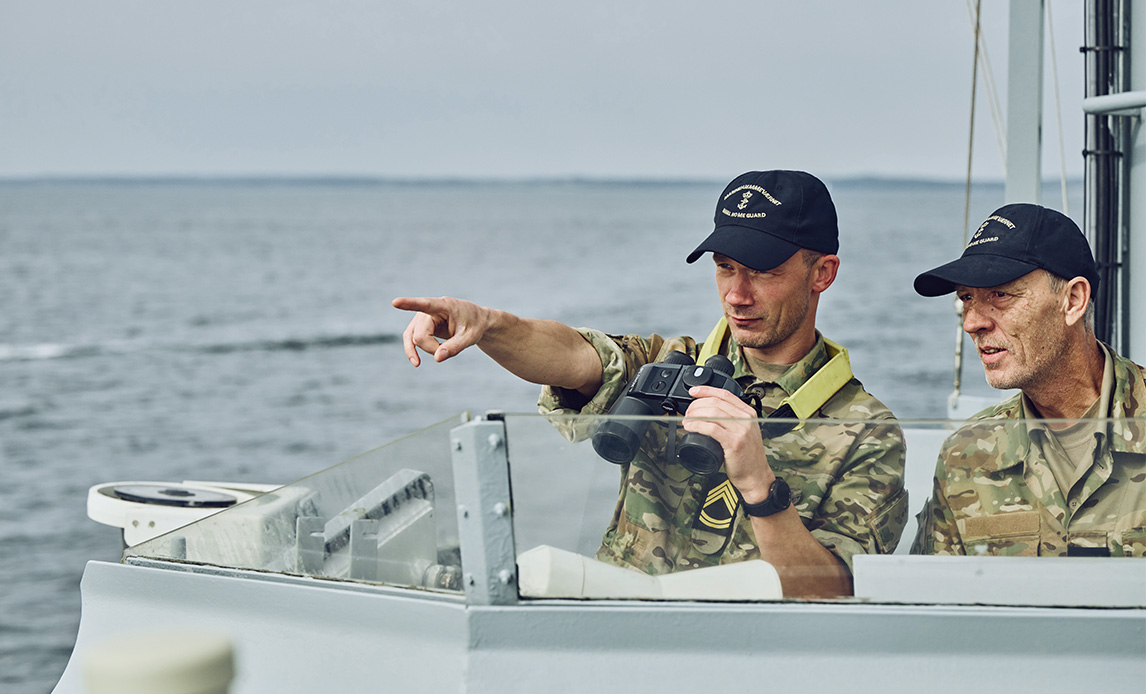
{"x": 866, "y": 509}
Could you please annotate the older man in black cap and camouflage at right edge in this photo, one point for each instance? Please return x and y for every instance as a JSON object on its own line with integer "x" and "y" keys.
{"x": 1008, "y": 483}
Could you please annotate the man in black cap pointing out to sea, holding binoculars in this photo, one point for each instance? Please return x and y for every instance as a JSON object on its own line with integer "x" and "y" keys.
{"x": 806, "y": 501}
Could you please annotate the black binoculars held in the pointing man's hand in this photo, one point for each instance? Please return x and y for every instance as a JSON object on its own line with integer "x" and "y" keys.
{"x": 663, "y": 389}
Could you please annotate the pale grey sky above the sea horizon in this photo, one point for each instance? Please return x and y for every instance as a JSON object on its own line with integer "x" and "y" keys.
{"x": 508, "y": 88}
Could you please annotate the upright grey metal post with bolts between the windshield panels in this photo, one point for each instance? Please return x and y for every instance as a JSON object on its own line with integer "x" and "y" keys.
{"x": 485, "y": 518}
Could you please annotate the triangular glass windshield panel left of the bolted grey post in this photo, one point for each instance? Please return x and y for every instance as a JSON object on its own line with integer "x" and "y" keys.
{"x": 384, "y": 517}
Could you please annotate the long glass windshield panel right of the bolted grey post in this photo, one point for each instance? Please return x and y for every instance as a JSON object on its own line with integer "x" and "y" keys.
{"x": 596, "y": 494}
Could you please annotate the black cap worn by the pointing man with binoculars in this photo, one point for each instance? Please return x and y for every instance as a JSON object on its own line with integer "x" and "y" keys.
{"x": 765, "y": 217}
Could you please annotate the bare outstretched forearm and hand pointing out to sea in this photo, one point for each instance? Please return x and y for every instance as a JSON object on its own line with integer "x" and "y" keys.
{"x": 541, "y": 352}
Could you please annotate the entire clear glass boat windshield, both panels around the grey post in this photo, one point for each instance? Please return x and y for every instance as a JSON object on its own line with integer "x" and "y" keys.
{"x": 637, "y": 508}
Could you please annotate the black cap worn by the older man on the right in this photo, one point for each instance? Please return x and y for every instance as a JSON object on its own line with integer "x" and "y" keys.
{"x": 1015, "y": 241}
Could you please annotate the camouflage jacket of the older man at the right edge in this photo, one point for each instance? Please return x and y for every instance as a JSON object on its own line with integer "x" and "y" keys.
{"x": 994, "y": 493}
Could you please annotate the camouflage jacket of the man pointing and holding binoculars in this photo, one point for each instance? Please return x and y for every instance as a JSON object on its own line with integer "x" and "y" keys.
{"x": 846, "y": 479}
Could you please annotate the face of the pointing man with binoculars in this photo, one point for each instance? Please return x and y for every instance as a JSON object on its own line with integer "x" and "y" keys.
{"x": 764, "y": 310}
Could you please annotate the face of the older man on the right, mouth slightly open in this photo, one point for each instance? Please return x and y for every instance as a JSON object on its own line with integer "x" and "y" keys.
{"x": 1018, "y": 328}
